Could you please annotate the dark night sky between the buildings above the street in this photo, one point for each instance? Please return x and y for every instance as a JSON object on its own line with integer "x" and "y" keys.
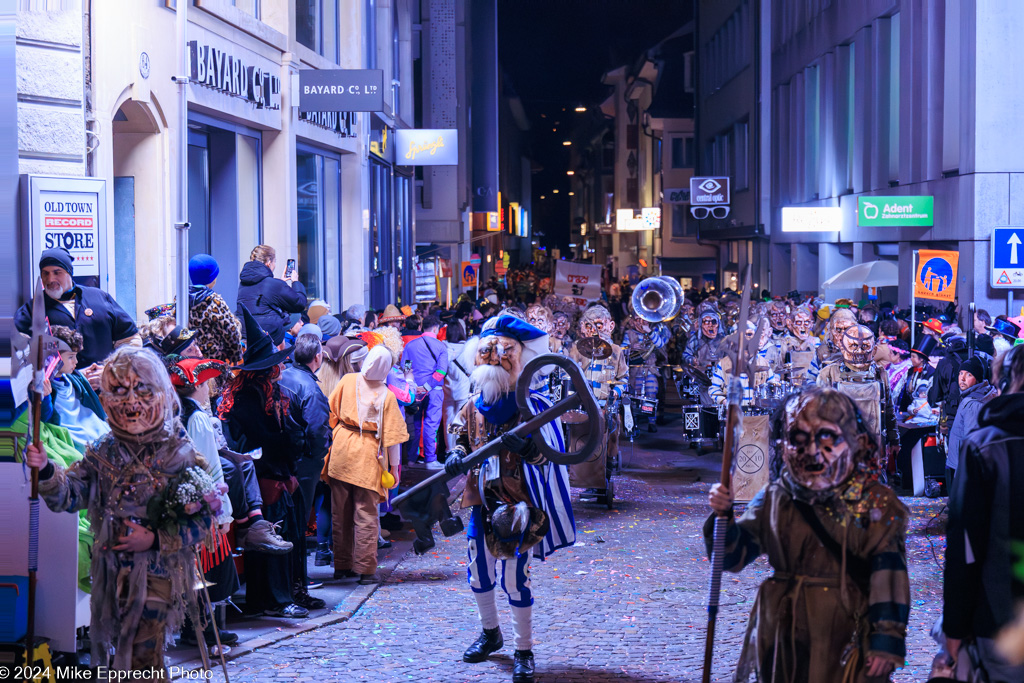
{"x": 553, "y": 54}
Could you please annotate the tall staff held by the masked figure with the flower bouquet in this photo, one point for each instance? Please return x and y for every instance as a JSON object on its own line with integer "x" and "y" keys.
{"x": 36, "y": 354}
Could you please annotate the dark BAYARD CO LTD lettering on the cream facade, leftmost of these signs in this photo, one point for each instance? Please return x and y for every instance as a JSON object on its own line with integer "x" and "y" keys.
{"x": 215, "y": 68}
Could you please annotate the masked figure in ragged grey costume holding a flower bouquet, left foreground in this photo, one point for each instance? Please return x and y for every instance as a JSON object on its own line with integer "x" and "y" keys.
{"x": 143, "y": 562}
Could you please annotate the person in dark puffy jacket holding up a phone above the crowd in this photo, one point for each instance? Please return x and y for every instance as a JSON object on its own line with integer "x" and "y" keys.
{"x": 270, "y": 301}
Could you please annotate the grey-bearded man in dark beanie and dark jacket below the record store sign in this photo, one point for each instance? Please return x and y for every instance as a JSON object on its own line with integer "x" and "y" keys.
{"x": 103, "y": 323}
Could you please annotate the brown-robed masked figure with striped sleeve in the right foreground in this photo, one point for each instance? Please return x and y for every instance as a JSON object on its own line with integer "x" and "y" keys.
{"x": 837, "y": 607}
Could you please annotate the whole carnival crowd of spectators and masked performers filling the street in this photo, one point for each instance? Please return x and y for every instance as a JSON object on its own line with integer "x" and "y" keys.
{"x": 250, "y": 429}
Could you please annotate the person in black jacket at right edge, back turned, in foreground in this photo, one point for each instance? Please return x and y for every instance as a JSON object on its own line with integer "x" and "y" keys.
{"x": 986, "y": 508}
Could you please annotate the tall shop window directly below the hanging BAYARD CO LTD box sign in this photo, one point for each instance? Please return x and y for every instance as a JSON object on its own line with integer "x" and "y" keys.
{"x": 319, "y": 189}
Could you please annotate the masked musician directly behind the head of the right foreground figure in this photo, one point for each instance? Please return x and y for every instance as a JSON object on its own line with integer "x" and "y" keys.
{"x": 857, "y": 366}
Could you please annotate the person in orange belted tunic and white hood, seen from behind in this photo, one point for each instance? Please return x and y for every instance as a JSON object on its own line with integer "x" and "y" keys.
{"x": 368, "y": 430}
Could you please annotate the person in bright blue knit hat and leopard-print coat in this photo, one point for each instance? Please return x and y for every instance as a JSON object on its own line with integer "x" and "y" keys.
{"x": 219, "y": 331}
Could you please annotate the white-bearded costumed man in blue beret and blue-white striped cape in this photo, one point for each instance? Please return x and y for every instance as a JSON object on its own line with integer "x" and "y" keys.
{"x": 521, "y": 502}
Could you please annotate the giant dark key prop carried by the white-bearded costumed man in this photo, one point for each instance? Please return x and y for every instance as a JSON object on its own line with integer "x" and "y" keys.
{"x": 583, "y": 399}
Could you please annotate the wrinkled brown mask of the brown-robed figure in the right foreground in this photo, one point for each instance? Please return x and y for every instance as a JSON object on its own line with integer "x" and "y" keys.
{"x": 823, "y": 440}
